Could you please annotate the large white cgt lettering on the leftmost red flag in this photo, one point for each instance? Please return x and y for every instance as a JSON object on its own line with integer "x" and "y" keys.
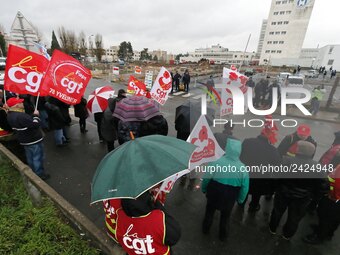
{"x": 33, "y": 79}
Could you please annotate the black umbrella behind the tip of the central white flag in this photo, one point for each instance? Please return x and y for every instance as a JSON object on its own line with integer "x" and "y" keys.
{"x": 188, "y": 113}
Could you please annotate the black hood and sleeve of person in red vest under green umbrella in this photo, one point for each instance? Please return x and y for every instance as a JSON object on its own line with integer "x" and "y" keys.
{"x": 144, "y": 205}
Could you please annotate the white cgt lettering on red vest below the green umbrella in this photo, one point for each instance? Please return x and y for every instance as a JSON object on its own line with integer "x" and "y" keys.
{"x": 139, "y": 245}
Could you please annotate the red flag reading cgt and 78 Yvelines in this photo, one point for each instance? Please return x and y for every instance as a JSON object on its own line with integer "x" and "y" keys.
{"x": 66, "y": 79}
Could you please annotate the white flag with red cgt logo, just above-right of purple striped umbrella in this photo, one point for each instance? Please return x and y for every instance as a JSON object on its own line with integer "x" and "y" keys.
{"x": 162, "y": 86}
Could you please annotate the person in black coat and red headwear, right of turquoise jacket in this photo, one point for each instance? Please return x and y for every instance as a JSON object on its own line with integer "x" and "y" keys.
{"x": 259, "y": 152}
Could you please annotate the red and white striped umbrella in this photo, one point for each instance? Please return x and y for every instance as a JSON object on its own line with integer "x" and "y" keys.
{"x": 97, "y": 100}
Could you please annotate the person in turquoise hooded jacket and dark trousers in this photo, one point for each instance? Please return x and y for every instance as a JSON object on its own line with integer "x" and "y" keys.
{"x": 223, "y": 188}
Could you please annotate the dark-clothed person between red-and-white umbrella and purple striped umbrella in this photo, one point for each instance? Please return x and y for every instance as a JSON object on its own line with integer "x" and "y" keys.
{"x": 109, "y": 123}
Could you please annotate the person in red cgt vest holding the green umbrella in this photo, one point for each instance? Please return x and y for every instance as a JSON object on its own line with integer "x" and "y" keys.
{"x": 141, "y": 226}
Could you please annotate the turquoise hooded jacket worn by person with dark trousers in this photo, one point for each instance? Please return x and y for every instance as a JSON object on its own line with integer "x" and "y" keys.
{"x": 236, "y": 177}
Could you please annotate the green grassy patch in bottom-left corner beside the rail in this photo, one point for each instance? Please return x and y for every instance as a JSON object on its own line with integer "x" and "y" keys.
{"x": 34, "y": 231}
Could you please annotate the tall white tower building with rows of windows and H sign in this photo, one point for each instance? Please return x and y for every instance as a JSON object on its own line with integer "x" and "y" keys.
{"x": 286, "y": 28}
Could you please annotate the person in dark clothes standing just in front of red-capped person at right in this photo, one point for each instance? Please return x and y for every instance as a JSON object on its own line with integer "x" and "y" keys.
{"x": 295, "y": 193}
